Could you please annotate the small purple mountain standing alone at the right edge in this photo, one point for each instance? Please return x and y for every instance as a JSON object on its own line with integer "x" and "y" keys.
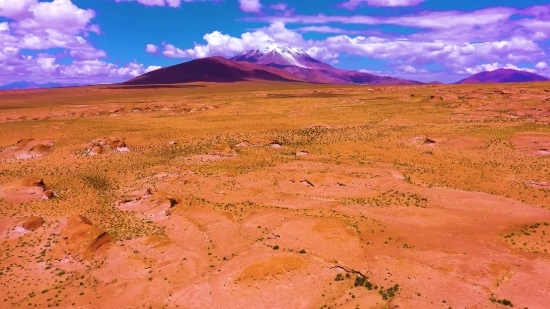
{"x": 503, "y": 76}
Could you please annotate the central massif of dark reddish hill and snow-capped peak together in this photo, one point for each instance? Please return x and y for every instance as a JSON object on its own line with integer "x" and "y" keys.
{"x": 275, "y": 63}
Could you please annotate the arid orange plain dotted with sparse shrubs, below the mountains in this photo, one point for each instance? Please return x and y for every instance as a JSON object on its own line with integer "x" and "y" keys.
{"x": 275, "y": 195}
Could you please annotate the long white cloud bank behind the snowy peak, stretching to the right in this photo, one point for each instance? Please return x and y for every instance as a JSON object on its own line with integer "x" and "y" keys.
{"x": 455, "y": 56}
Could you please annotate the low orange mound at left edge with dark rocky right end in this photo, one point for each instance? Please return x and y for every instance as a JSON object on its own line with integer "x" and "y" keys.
{"x": 23, "y": 190}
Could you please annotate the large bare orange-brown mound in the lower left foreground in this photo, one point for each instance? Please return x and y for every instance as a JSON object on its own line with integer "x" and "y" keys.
{"x": 79, "y": 239}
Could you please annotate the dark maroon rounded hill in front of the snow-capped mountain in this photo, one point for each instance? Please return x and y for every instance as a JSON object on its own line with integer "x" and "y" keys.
{"x": 212, "y": 69}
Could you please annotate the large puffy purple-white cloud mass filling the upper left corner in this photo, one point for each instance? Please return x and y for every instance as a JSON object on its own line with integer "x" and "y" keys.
{"x": 34, "y": 25}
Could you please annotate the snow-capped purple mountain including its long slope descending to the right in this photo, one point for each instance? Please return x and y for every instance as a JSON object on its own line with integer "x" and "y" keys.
{"x": 304, "y": 67}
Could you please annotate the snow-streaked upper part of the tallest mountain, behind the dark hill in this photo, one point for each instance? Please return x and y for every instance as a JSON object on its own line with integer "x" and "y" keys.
{"x": 281, "y": 56}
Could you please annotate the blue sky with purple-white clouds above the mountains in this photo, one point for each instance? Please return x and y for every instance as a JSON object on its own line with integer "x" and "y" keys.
{"x": 107, "y": 41}
